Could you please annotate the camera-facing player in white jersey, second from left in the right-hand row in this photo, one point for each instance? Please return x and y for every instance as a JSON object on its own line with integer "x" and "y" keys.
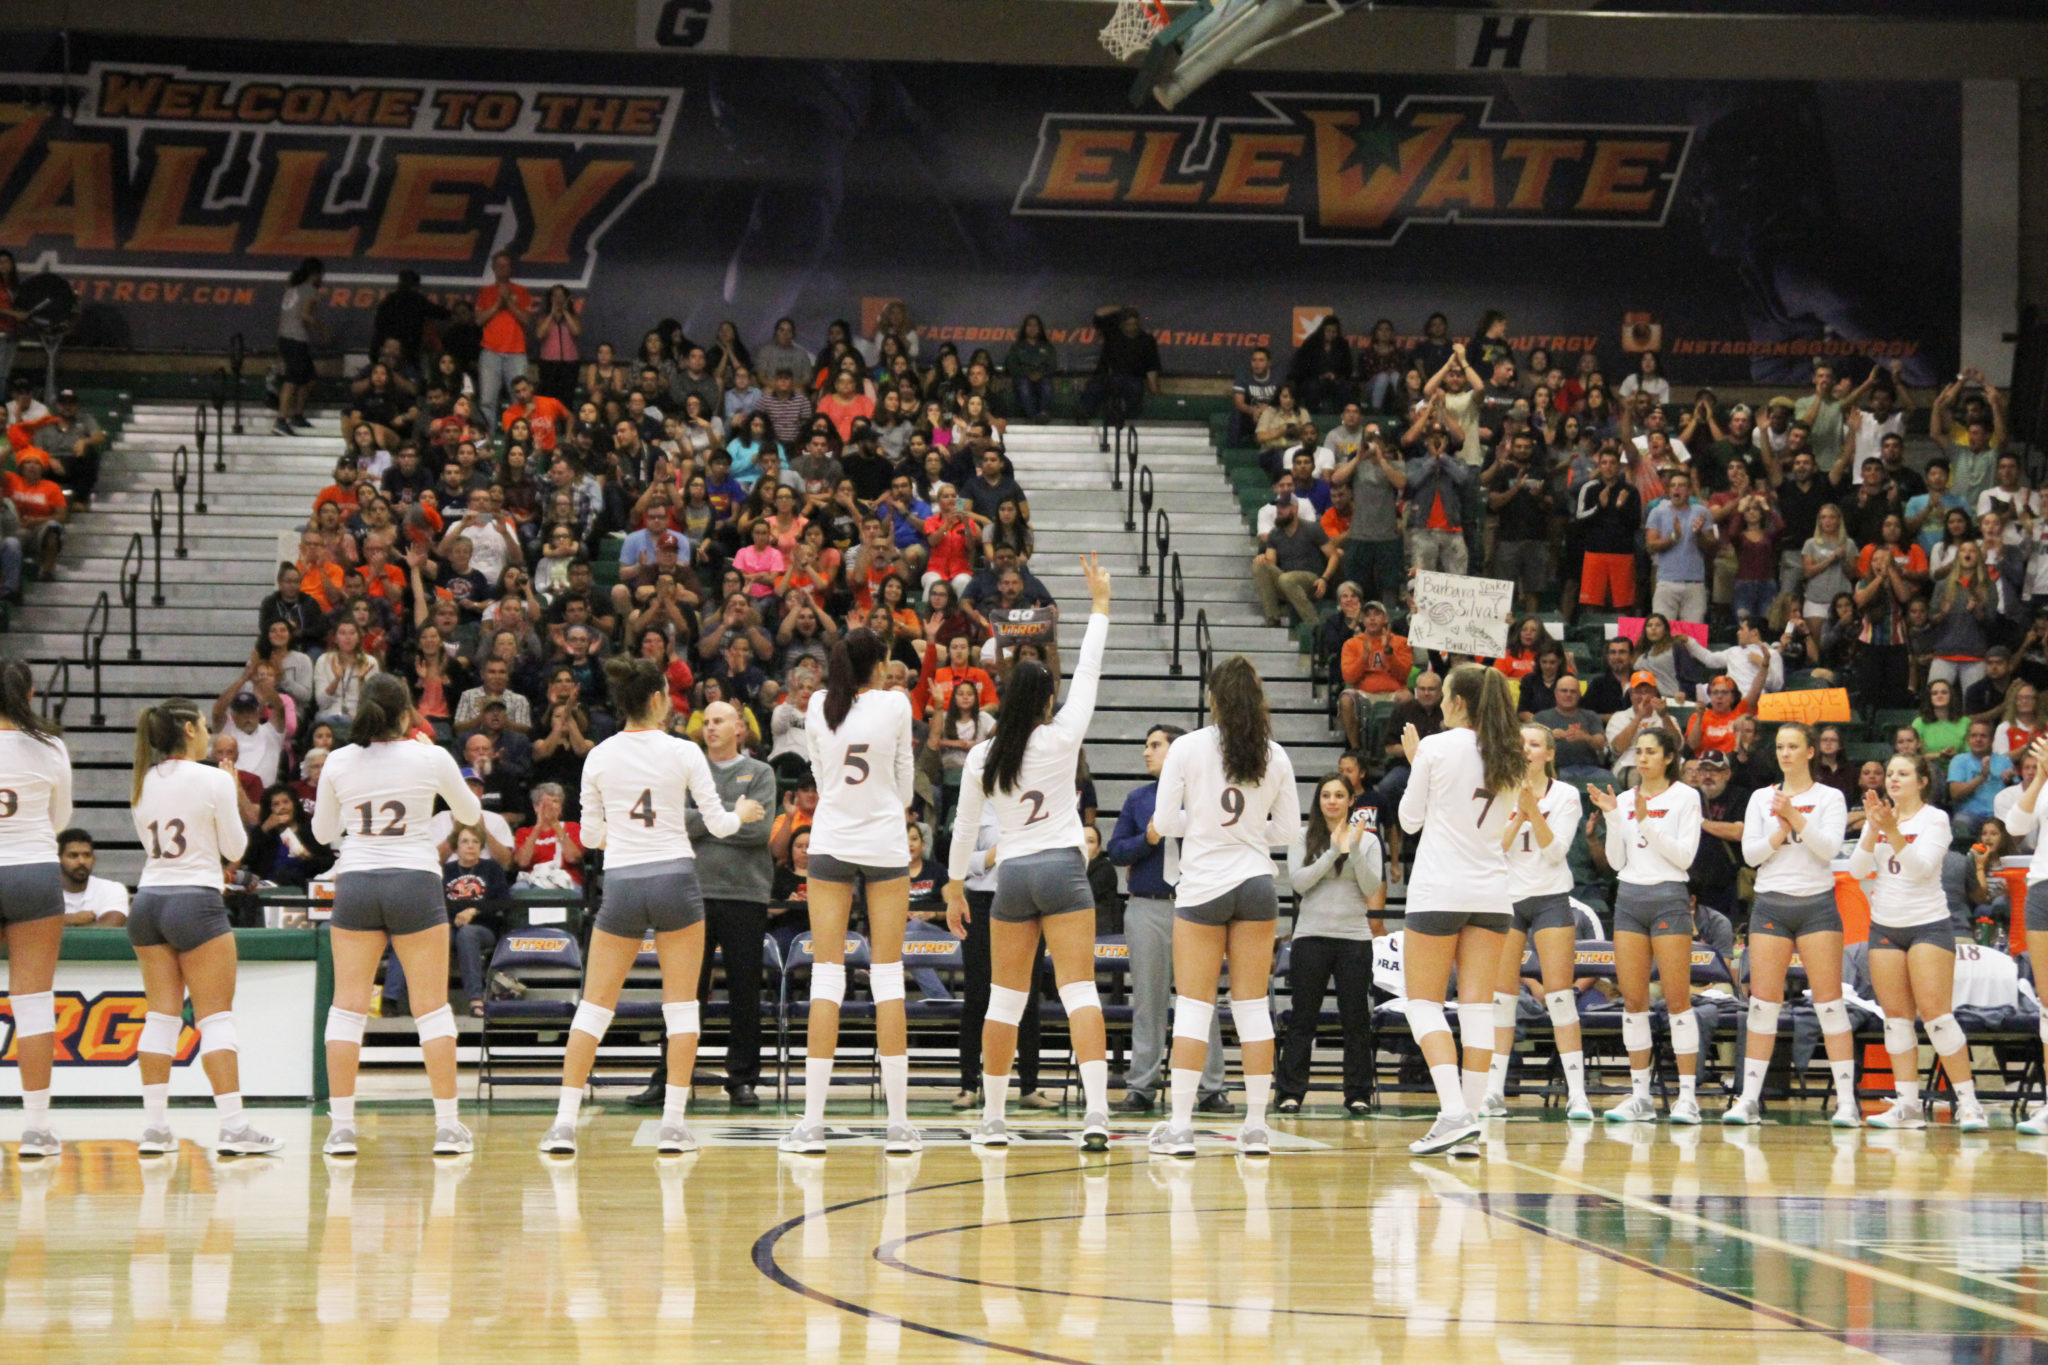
{"x": 1654, "y": 836}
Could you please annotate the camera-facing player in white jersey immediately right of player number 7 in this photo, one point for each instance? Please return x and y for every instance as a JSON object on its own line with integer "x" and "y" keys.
{"x": 1537, "y": 840}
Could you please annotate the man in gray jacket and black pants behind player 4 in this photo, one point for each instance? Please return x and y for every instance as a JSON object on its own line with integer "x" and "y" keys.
{"x": 736, "y": 875}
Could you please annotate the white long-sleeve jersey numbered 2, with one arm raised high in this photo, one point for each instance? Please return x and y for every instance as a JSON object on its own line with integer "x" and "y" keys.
{"x": 1041, "y": 813}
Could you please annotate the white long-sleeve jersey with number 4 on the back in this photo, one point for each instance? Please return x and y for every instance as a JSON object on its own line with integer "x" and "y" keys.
{"x": 634, "y": 799}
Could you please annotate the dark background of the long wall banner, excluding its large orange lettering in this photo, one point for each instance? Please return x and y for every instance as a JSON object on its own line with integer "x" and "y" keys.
{"x": 1809, "y": 218}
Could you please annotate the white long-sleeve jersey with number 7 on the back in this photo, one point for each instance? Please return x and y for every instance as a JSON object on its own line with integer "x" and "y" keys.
{"x": 1461, "y": 865}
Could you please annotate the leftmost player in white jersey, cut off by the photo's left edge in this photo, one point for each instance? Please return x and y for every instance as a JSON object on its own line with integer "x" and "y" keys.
{"x": 36, "y": 803}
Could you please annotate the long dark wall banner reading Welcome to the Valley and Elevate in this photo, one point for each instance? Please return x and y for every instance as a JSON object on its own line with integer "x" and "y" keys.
{"x": 1740, "y": 228}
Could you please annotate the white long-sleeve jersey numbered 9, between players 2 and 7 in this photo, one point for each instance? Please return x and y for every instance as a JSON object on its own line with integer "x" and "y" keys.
{"x": 1228, "y": 832}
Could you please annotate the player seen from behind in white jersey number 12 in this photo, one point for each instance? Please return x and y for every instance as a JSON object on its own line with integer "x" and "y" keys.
{"x": 378, "y": 801}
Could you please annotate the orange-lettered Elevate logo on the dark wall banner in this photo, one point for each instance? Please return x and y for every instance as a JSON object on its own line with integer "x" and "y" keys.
{"x": 1355, "y": 169}
